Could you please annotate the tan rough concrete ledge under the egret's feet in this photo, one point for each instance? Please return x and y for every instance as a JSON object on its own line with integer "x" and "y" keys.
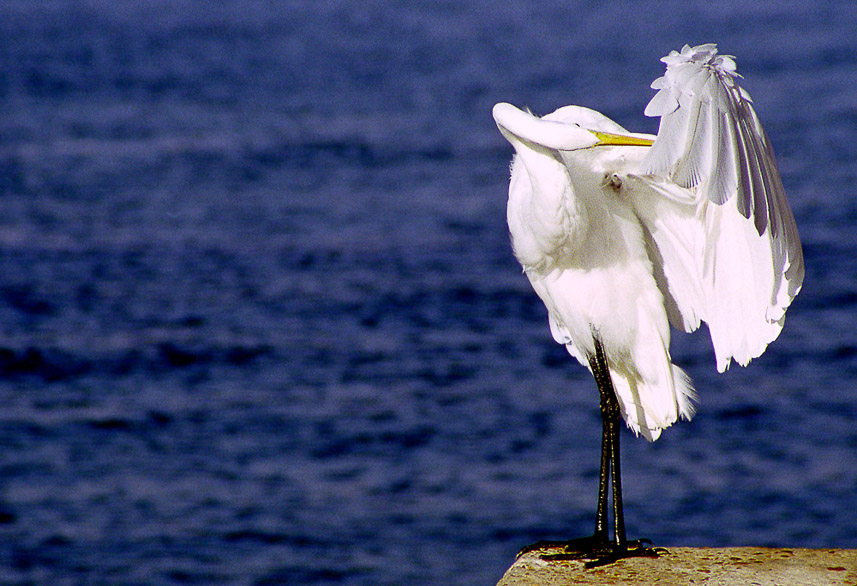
{"x": 725, "y": 566}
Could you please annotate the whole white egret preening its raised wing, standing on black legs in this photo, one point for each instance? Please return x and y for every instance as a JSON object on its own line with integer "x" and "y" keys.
{"x": 623, "y": 235}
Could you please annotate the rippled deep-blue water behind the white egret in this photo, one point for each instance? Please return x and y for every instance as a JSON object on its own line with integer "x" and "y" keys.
{"x": 260, "y": 322}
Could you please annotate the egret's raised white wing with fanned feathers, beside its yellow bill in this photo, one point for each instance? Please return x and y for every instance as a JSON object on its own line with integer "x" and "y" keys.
{"x": 722, "y": 236}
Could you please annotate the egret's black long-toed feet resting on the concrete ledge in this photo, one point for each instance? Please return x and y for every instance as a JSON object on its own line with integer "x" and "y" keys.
{"x": 594, "y": 552}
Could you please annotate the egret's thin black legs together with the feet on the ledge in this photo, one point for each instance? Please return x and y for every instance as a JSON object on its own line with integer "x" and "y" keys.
{"x": 598, "y": 550}
